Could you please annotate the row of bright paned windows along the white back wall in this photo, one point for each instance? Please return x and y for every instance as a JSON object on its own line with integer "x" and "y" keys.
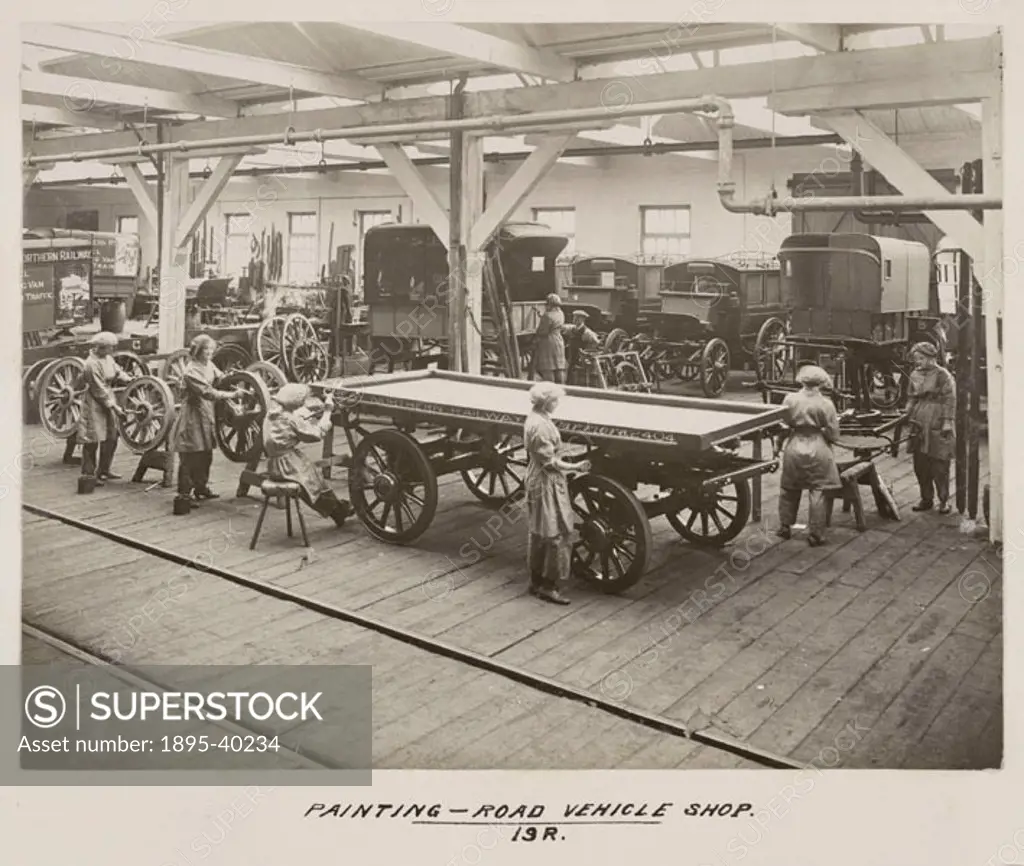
{"x": 664, "y": 232}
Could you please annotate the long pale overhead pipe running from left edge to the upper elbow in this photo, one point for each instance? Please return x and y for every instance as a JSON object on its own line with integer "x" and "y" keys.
{"x": 531, "y": 121}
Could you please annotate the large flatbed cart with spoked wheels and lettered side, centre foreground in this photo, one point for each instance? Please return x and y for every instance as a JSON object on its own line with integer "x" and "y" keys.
{"x": 407, "y": 429}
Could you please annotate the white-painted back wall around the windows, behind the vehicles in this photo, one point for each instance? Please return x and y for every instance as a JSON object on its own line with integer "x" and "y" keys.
{"x": 608, "y": 200}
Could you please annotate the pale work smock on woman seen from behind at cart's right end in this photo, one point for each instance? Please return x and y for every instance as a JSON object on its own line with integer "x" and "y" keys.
{"x": 808, "y": 462}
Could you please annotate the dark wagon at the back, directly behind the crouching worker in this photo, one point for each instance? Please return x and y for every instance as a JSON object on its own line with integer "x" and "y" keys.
{"x": 606, "y": 289}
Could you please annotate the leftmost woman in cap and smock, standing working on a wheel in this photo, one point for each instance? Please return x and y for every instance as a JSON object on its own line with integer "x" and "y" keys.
{"x": 98, "y": 427}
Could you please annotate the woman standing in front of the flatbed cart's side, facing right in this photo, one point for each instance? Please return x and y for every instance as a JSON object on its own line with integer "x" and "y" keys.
{"x": 548, "y": 510}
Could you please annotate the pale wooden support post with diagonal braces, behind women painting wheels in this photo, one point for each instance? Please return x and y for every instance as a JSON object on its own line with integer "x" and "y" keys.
{"x": 175, "y": 259}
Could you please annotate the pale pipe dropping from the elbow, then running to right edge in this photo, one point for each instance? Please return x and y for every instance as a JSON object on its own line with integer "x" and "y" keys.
{"x": 772, "y": 204}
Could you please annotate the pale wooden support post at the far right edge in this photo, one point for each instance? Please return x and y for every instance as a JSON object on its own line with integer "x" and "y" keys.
{"x": 992, "y": 284}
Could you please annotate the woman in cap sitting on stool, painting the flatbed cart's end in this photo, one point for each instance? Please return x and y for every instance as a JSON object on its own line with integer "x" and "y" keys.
{"x": 286, "y": 429}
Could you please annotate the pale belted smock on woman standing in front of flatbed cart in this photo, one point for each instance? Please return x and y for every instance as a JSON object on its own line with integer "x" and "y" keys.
{"x": 549, "y": 510}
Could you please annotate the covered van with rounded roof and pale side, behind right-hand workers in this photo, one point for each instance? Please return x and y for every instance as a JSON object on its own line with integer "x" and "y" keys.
{"x": 859, "y": 304}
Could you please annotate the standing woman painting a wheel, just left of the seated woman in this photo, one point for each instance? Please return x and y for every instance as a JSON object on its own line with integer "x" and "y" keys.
{"x": 193, "y": 438}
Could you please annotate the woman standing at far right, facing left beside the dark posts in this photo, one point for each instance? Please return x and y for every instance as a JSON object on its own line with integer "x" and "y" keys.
{"x": 931, "y": 412}
